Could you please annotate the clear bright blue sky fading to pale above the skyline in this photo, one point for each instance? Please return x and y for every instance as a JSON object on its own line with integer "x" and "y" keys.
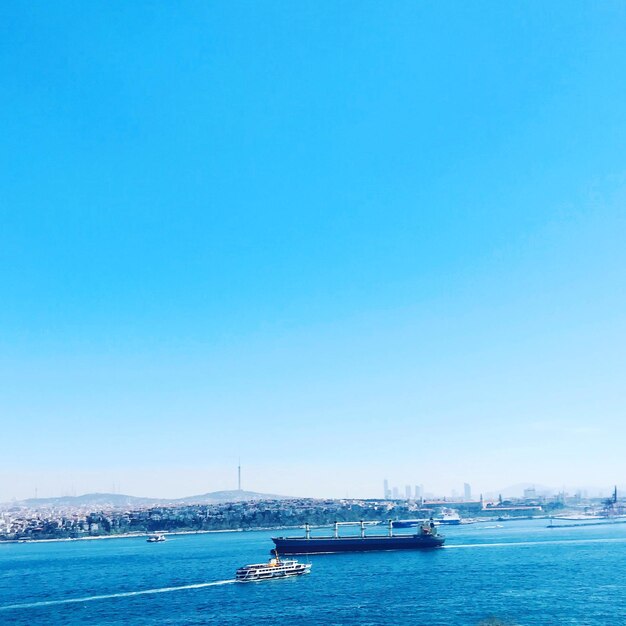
{"x": 344, "y": 241}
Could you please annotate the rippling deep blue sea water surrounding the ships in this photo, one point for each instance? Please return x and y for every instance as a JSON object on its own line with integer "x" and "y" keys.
{"x": 520, "y": 572}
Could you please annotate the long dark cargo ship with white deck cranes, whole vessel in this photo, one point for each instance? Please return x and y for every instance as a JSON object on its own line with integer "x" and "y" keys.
{"x": 426, "y": 537}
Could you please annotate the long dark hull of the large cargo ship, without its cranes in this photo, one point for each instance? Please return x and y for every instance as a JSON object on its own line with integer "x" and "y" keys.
{"x": 316, "y": 545}
